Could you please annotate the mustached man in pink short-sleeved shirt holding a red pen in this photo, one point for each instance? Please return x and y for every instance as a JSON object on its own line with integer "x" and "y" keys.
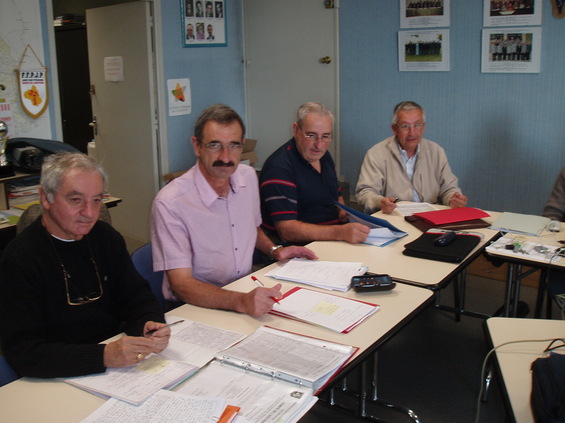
{"x": 205, "y": 224}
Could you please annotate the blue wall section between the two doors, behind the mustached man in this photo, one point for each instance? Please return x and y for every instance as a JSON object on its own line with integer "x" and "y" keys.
{"x": 215, "y": 73}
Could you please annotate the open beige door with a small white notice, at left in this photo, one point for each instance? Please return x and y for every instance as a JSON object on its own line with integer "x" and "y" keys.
{"x": 125, "y": 111}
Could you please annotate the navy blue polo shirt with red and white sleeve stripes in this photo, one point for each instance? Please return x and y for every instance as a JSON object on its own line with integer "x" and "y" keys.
{"x": 291, "y": 189}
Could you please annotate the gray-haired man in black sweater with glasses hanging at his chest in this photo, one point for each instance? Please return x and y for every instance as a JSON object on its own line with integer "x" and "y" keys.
{"x": 67, "y": 283}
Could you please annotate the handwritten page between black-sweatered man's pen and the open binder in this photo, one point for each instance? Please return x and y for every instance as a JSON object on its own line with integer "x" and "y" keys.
{"x": 196, "y": 343}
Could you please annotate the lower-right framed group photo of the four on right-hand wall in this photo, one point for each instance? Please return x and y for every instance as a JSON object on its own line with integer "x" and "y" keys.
{"x": 511, "y": 50}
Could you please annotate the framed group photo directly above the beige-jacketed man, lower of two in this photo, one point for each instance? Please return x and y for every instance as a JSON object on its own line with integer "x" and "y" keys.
{"x": 426, "y": 50}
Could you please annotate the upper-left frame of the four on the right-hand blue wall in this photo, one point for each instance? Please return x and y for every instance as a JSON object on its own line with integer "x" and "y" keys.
{"x": 424, "y": 13}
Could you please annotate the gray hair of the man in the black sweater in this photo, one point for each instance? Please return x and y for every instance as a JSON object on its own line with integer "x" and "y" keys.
{"x": 56, "y": 166}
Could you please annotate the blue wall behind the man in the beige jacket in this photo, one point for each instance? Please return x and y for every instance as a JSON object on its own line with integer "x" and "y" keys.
{"x": 503, "y": 133}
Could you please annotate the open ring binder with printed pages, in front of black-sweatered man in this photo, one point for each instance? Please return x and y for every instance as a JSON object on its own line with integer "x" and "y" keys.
{"x": 272, "y": 375}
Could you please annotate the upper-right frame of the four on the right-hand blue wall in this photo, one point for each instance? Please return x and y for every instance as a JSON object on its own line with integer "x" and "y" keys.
{"x": 512, "y": 12}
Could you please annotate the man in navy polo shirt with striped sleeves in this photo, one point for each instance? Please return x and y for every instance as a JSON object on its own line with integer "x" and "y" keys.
{"x": 299, "y": 186}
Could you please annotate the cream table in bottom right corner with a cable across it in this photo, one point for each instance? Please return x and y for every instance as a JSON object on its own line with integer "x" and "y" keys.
{"x": 514, "y": 360}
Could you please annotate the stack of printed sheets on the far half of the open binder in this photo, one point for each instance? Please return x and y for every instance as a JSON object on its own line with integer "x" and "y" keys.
{"x": 288, "y": 356}
